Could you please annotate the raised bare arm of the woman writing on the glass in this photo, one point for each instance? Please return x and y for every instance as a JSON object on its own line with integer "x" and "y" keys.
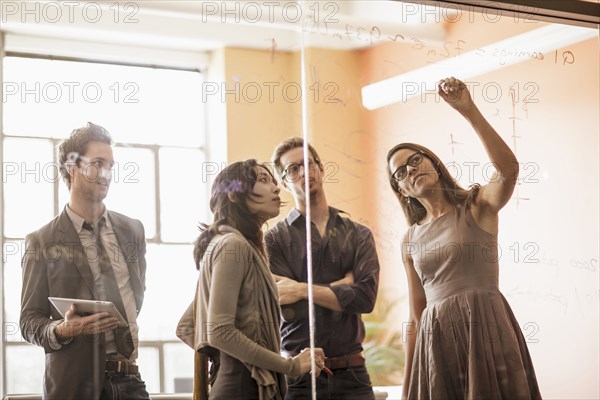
{"x": 494, "y": 195}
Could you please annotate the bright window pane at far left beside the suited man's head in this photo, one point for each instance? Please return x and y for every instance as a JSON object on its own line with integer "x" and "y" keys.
{"x": 29, "y": 176}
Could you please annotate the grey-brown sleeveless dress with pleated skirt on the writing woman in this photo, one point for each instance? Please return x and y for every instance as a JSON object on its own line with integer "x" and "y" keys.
{"x": 469, "y": 344}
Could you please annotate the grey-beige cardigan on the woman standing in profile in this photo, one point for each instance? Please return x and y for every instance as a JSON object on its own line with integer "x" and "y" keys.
{"x": 238, "y": 312}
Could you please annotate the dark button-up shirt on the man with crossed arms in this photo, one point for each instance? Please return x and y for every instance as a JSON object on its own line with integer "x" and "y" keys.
{"x": 346, "y": 246}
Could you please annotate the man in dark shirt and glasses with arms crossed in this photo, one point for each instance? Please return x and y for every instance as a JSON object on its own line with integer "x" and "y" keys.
{"x": 345, "y": 280}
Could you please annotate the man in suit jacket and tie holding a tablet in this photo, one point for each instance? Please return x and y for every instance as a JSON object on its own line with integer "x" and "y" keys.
{"x": 90, "y": 253}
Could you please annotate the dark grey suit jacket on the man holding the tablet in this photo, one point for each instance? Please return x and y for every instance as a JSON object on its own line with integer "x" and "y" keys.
{"x": 54, "y": 264}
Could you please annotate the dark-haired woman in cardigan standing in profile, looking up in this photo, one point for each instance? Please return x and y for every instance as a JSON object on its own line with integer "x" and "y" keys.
{"x": 234, "y": 319}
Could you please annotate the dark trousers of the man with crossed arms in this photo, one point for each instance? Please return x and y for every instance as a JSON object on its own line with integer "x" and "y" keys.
{"x": 345, "y": 384}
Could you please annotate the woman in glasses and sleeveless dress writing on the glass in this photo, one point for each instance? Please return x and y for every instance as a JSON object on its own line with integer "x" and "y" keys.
{"x": 467, "y": 343}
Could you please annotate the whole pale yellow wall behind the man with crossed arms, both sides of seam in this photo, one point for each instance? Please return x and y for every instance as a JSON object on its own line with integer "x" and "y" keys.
{"x": 335, "y": 129}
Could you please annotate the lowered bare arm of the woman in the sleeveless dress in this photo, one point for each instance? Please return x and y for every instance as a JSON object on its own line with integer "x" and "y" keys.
{"x": 417, "y": 303}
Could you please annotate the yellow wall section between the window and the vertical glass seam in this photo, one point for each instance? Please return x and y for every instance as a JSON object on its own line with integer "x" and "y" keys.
{"x": 263, "y": 113}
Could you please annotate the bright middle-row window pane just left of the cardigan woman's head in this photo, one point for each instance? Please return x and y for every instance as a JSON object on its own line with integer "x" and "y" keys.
{"x": 184, "y": 180}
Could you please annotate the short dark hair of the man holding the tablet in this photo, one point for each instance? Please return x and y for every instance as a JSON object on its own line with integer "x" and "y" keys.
{"x": 77, "y": 144}
